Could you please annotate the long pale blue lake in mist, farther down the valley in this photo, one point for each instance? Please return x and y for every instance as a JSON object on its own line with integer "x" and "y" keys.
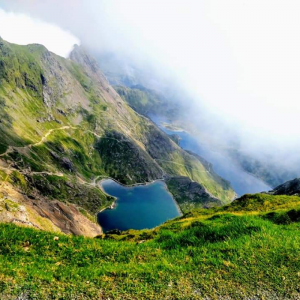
{"x": 241, "y": 181}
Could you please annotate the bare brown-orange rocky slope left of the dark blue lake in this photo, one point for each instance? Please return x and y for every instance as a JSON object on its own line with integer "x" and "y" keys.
{"x": 43, "y": 214}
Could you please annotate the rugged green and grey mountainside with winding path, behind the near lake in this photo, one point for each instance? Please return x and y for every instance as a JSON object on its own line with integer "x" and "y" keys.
{"x": 62, "y": 129}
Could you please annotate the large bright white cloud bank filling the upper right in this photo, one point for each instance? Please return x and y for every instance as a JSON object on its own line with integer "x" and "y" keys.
{"x": 239, "y": 58}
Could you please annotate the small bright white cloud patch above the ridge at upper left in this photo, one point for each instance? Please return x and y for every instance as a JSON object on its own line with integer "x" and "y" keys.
{"x": 21, "y": 29}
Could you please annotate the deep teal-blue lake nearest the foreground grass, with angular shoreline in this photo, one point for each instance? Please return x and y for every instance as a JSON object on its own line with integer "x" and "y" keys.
{"x": 137, "y": 207}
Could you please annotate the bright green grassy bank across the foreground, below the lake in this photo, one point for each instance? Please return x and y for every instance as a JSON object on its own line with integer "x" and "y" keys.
{"x": 247, "y": 249}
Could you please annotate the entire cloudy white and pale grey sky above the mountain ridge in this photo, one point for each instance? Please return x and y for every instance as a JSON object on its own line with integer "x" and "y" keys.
{"x": 237, "y": 59}
